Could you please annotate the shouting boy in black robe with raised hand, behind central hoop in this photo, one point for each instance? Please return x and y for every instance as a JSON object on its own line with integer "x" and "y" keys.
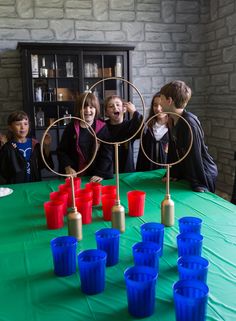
{"x": 121, "y": 129}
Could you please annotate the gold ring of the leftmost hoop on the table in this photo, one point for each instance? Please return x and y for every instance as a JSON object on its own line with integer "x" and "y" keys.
{"x": 89, "y": 128}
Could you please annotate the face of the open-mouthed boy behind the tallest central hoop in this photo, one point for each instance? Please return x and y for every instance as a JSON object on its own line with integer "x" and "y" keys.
{"x": 115, "y": 111}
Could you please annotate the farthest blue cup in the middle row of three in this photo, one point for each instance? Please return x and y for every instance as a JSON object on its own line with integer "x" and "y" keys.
{"x": 153, "y": 232}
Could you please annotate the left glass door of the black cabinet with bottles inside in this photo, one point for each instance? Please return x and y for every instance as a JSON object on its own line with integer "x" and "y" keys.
{"x": 55, "y": 84}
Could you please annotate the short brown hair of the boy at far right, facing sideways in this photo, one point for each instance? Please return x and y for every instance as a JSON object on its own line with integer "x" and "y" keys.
{"x": 178, "y": 91}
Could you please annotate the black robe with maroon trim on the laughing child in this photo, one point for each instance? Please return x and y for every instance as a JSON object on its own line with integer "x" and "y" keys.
{"x": 70, "y": 153}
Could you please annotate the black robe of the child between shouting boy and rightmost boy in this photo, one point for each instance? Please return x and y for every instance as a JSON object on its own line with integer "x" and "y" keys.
{"x": 149, "y": 143}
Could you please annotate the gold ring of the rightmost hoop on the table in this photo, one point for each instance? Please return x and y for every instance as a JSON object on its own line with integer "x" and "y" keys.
{"x": 179, "y": 160}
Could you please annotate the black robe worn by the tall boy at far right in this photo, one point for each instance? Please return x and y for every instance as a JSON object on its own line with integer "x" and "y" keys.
{"x": 198, "y": 167}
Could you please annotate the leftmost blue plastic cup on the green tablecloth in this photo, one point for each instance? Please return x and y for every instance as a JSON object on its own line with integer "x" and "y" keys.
{"x": 64, "y": 255}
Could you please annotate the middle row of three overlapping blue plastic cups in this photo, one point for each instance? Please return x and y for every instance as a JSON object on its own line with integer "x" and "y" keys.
{"x": 142, "y": 277}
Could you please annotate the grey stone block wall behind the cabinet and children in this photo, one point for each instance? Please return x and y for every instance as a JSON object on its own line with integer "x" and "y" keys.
{"x": 189, "y": 40}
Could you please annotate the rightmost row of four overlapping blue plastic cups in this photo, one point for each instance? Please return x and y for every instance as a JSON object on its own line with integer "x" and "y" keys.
{"x": 191, "y": 291}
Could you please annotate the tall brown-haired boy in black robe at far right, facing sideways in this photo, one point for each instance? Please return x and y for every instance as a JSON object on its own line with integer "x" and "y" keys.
{"x": 198, "y": 167}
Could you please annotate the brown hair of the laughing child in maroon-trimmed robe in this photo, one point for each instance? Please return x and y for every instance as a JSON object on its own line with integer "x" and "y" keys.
{"x": 91, "y": 100}
